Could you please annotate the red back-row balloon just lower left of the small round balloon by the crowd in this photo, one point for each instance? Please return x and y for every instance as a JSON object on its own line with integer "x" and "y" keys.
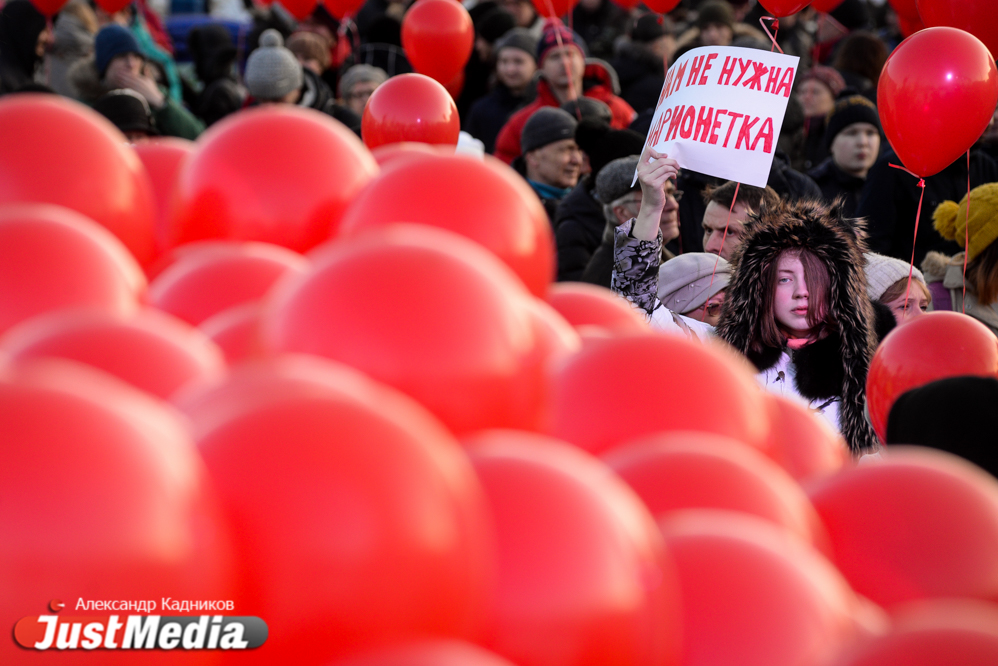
{"x": 278, "y": 174}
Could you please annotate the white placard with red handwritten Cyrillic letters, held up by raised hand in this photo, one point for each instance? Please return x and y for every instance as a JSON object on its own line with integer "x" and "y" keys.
{"x": 721, "y": 110}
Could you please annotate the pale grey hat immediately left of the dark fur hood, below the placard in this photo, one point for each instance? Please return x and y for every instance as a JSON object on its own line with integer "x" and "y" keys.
{"x": 684, "y": 282}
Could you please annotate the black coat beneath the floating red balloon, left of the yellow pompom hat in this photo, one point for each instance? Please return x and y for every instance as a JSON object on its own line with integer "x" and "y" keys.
{"x": 889, "y": 202}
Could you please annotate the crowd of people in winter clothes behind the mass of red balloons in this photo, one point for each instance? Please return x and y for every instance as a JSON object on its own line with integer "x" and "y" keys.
{"x": 804, "y": 276}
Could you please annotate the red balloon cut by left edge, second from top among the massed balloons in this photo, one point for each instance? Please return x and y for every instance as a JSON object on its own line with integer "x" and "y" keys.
{"x": 52, "y": 258}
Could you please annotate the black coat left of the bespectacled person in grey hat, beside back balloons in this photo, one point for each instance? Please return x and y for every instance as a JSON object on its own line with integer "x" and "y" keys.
{"x": 579, "y": 227}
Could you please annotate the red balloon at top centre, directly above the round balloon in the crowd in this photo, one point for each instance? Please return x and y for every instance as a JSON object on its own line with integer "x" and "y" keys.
{"x": 438, "y": 38}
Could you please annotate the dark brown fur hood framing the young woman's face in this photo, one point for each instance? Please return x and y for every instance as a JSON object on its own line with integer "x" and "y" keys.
{"x": 835, "y": 366}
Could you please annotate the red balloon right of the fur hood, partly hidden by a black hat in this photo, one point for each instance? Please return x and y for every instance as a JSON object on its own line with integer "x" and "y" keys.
{"x": 941, "y": 345}
